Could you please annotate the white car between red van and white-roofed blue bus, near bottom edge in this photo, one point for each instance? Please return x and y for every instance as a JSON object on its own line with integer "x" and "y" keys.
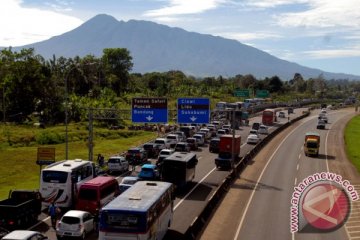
{"x": 75, "y": 223}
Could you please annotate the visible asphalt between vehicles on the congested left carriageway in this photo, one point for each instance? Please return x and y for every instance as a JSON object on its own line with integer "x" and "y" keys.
{"x": 190, "y": 202}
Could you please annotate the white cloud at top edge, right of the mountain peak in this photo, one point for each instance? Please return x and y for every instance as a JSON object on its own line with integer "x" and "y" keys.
{"x": 180, "y": 7}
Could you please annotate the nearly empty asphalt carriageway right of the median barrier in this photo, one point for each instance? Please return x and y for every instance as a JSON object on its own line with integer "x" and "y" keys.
{"x": 258, "y": 204}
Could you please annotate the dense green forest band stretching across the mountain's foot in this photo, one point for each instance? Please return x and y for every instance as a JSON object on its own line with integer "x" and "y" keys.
{"x": 32, "y": 87}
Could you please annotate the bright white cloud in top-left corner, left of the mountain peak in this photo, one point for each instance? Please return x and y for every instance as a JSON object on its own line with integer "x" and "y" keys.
{"x": 20, "y": 25}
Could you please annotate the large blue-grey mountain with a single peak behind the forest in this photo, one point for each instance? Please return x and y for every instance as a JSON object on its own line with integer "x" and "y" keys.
{"x": 155, "y": 47}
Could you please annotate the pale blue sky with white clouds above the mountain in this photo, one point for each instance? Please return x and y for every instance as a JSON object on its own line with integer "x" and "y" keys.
{"x": 322, "y": 34}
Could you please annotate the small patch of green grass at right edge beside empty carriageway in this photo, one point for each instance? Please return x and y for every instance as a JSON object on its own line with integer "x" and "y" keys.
{"x": 352, "y": 141}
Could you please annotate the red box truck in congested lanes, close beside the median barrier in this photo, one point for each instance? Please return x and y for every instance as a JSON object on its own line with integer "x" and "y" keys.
{"x": 228, "y": 155}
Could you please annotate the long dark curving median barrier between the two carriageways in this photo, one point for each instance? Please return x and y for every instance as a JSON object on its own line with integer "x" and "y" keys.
{"x": 198, "y": 223}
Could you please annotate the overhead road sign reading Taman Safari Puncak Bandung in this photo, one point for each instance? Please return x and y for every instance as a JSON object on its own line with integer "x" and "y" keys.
{"x": 149, "y": 110}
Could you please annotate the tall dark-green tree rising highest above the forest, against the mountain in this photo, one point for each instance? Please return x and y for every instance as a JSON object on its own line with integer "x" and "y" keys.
{"x": 117, "y": 64}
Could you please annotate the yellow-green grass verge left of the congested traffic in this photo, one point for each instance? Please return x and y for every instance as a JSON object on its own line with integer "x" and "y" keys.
{"x": 18, "y": 150}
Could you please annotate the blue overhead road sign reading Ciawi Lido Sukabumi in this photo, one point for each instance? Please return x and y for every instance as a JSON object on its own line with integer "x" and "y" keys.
{"x": 193, "y": 110}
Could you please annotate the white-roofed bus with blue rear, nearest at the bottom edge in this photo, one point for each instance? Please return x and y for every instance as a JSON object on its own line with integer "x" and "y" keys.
{"x": 144, "y": 211}
